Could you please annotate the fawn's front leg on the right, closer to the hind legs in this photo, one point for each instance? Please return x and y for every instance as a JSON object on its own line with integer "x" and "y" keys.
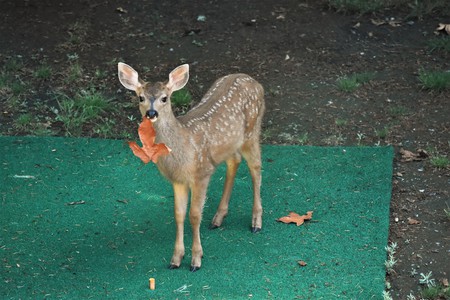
{"x": 198, "y": 197}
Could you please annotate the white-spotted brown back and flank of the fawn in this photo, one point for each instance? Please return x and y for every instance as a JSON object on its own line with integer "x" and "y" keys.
{"x": 229, "y": 114}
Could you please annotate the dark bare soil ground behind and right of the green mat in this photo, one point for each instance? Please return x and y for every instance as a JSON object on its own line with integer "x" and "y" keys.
{"x": 296, "y": 49}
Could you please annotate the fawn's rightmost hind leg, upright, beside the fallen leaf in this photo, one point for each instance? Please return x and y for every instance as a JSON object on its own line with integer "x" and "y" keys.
{"x": 251, "y": 151}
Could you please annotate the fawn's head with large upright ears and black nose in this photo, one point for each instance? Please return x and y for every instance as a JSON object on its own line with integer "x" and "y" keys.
{"x": 154, "y": 98}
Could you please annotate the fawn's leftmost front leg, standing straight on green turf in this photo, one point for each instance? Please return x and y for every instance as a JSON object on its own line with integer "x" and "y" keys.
{"x": 181, "y": 194}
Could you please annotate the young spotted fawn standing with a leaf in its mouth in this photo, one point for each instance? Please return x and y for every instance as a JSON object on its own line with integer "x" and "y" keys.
{"x": 224, "y": 126}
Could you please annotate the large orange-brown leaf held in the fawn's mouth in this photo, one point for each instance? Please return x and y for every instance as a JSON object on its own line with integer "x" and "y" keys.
{"x": 149, "y": 150}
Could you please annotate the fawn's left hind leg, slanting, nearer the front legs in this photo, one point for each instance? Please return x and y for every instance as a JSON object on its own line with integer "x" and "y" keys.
{"x": 222, "y": 211}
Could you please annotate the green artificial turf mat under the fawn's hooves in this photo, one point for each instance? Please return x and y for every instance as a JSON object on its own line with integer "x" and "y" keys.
{"x": 84, "y": 218}
